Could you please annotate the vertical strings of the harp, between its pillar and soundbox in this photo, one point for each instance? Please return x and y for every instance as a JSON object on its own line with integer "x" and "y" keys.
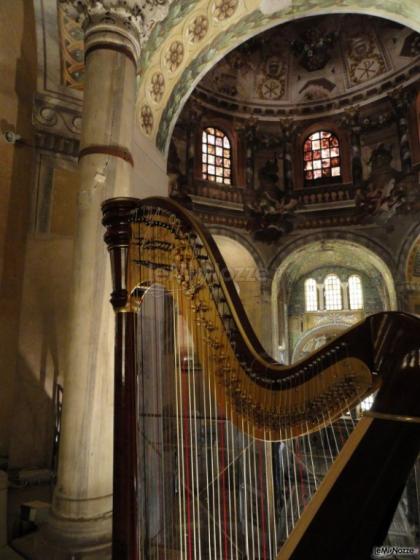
{"x": 230, "y": 495}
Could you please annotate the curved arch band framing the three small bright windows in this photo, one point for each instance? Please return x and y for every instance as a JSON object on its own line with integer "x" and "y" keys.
{"x": 294, "y": 252}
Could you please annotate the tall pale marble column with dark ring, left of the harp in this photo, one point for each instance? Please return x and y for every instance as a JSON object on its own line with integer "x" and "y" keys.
{"x": 80, "y": 521}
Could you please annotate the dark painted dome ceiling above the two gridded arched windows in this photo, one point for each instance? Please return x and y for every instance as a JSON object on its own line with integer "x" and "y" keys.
{"x": 312, "y": 60}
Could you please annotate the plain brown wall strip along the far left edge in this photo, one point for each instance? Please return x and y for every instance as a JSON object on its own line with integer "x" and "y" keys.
{"x": 17, "y": 87}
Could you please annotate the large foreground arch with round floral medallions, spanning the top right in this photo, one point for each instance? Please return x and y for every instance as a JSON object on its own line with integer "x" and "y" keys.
{"x": 207, "y": 33}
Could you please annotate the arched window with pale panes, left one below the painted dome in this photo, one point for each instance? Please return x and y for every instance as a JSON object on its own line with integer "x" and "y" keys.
{"x": 216, "y": 158}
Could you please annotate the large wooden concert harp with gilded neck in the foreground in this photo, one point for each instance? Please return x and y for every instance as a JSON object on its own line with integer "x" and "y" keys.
{"x": 216, "y": 446}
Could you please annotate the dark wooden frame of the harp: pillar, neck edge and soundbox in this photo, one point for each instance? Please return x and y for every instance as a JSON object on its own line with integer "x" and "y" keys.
{"x": 368, "y": 478}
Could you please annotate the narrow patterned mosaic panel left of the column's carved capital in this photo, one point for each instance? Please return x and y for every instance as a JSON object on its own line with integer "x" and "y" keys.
{"x": 72, "y": 51}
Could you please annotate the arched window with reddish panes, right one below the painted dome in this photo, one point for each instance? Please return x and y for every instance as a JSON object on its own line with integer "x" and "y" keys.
{"x": 321, "y": 158}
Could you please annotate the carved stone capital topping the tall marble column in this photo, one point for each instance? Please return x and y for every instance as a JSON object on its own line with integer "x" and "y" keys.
{"x": 132, "y": 20}
